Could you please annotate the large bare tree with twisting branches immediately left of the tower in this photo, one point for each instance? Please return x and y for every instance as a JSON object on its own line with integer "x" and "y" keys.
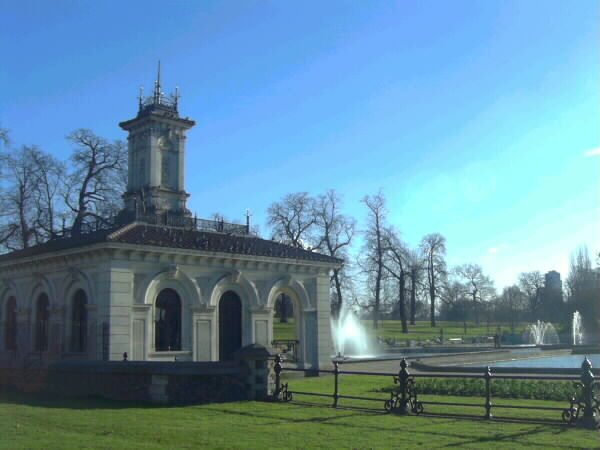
{"x": 93, "y": 188}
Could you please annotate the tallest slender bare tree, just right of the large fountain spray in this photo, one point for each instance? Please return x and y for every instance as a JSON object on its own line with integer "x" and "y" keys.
{"x": 372, "y": 262}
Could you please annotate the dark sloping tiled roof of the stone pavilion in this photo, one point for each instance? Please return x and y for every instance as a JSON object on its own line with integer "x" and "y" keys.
{"x": 169, "y": 237}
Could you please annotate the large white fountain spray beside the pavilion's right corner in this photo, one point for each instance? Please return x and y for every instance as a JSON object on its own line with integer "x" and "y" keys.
{"x": 349, "y": 336}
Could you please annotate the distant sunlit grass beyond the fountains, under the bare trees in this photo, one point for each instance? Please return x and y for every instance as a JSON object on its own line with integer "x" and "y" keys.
{"x": 422, "y": 330}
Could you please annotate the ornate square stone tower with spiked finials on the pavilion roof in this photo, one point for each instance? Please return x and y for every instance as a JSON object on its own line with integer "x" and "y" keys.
{"x": 156, "y": 155}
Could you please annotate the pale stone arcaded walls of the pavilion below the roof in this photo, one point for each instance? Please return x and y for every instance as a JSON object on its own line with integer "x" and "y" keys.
{"x": 122, "y": 282}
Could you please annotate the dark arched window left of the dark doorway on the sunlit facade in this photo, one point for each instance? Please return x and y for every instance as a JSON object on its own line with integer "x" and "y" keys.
{"x": 167, "y": 334}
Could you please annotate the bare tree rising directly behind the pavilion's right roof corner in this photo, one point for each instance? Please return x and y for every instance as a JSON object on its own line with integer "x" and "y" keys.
{"x": 335, "y": 232}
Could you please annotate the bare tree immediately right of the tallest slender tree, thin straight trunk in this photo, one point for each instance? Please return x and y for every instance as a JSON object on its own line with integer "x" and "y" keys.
{"x": 397, "y": 265}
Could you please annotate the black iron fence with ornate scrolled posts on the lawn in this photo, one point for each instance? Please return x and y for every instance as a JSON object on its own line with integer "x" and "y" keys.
{"x": 583, "y": 408}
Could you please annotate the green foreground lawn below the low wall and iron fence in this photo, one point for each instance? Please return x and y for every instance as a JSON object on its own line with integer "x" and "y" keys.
{"x": 36, "y": 421}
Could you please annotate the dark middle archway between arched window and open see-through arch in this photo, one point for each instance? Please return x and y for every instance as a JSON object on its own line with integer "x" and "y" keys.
{"x": 230, "y": 325}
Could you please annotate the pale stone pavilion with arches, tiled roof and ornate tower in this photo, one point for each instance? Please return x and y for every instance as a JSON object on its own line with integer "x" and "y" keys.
{"x": 159, "y": 284}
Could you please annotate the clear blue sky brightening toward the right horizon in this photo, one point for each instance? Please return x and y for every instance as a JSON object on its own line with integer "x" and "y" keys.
{"x": 474, "y": 118}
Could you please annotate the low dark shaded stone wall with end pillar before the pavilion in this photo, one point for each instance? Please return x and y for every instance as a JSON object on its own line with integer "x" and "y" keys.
{"x": 249, "y": 377}
